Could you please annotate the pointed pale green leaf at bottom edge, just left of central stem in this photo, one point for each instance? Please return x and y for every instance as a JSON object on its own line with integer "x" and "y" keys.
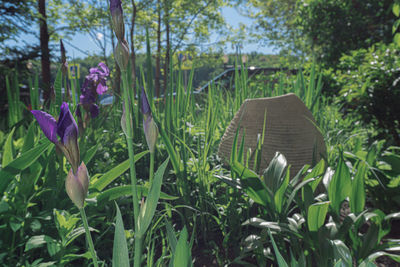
{"x": 120, "y": 247}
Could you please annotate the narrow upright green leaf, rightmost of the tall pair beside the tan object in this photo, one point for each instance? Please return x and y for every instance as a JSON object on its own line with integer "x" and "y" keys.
{"x": 357, "y": 197}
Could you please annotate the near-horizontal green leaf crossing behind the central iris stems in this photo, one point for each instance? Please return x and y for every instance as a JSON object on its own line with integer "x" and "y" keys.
{"x": 126, "y": 190}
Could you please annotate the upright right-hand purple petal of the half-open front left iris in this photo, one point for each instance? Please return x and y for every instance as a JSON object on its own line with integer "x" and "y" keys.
{"x": 66, "y": 125}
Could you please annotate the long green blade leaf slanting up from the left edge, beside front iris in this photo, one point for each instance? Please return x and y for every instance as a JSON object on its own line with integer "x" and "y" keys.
{"x": 21, "y": 163}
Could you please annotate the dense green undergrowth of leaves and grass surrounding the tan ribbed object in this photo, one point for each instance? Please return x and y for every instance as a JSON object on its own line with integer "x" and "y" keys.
{"x": 208, "y": 213}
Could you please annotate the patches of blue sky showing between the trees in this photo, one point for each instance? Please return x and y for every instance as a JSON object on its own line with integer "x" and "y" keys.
{"x": 83, "y": 42}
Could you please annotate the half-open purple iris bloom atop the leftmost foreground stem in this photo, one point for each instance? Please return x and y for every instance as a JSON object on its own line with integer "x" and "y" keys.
{"x": 63, "y": 133}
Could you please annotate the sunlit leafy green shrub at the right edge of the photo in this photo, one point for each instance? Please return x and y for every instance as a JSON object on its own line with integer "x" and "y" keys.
{"x": 370, "y": 80}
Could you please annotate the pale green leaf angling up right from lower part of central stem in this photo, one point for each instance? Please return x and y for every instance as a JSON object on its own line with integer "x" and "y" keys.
{"x": 148, "y": 209}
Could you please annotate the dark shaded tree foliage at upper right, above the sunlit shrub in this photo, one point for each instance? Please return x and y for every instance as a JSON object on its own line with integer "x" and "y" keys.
{"x": 335, "y": 27}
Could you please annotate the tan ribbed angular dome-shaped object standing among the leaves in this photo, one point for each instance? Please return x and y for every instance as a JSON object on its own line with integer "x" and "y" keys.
{"x": 290, "y": 129}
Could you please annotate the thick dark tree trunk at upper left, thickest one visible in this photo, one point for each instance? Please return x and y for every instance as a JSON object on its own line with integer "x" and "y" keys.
{"x": 45, "y": 52}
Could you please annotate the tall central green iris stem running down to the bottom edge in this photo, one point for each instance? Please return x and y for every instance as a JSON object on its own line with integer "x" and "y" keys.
{"x": 129, "y": 130}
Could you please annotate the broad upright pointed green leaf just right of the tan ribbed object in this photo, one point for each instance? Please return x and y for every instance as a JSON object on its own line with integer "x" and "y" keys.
{"x": 340, "y": 186}
